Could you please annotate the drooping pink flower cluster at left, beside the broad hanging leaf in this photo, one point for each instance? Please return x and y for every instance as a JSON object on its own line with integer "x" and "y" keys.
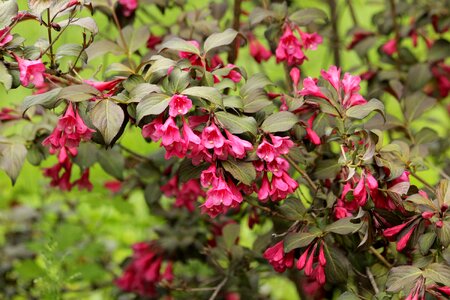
{"x": 64, "y": 141}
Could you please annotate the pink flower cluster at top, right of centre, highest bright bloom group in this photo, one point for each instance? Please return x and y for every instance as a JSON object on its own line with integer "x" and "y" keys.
{"x": 290, "y": 48}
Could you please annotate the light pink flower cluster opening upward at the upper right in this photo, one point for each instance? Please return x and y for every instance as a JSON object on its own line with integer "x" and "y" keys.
{"x": 347, "y": 88}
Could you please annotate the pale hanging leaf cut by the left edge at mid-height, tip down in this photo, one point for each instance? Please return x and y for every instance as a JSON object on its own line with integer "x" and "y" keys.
{"x": 12, "y": 157}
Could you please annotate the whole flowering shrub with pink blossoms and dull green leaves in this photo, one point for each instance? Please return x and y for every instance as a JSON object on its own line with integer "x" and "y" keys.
{"x": 325, "y": 175}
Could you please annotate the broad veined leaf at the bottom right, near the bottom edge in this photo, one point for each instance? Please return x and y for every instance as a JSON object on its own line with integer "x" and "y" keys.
{"x": 402, "y": 278}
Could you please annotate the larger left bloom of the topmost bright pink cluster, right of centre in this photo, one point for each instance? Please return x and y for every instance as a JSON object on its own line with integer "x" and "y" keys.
{"x": 289, "y": 49}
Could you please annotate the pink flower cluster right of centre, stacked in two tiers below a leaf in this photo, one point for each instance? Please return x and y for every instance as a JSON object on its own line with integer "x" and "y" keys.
{"x": 274, "y": 166}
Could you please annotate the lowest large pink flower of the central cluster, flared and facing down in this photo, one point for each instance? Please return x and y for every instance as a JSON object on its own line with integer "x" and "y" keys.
{"x": 222, "y": 196}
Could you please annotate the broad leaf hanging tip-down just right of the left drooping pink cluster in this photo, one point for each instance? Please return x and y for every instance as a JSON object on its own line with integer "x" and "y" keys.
{"x": 107, "y": 117}
